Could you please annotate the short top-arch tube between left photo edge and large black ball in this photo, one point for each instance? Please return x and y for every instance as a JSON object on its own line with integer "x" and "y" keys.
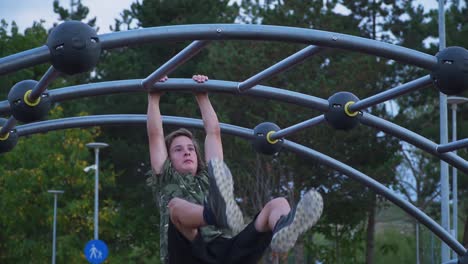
{"x": 24, "y": 59}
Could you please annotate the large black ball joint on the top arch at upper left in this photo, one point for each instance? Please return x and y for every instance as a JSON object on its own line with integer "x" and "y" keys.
{"x": 74, "y": 47}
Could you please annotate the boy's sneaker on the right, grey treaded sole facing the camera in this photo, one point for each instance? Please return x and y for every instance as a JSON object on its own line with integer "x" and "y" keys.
{"x": 289, "y": 227}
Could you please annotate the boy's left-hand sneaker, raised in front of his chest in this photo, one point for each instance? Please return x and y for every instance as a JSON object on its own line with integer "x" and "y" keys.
{"x": 220, "y": 206}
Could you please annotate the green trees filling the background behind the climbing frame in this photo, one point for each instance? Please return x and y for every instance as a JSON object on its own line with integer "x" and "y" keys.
{"x": 128, "y": 215}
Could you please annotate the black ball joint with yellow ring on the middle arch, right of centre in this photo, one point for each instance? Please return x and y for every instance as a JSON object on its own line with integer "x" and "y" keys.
{"x": 339, "y": 116}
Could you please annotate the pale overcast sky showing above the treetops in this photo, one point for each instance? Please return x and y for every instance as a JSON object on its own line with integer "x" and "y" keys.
{"x": 24, "y": 12}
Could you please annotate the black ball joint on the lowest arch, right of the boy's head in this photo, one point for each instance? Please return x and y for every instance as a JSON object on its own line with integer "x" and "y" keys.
{"x": 262, "y": 142}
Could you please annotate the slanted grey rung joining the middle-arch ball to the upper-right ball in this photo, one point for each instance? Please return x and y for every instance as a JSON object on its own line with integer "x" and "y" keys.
{"x": 391, "y": 93}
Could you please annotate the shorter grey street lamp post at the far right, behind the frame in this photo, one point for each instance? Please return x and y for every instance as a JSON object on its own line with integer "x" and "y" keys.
{"x": 454, "y": 101}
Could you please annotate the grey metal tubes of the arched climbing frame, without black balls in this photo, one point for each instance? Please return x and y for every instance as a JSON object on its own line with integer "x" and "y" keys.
{"x": 202, "y": 35}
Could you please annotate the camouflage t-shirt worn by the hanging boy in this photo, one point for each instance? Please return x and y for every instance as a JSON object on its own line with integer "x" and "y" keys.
{"x": 170, "y": 184}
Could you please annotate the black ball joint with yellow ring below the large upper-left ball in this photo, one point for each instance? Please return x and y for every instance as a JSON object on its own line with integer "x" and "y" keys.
{"x": 26, "y": 110}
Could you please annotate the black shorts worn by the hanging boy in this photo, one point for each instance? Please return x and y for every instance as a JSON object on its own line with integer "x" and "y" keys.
{"x": 247, "y": 247}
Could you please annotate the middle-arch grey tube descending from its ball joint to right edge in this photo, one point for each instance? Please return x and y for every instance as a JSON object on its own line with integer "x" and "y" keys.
{"x": 414, "y": 139}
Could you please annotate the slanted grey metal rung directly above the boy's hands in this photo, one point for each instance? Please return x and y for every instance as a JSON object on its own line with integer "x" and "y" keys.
{"x": 187, "y": 53}
